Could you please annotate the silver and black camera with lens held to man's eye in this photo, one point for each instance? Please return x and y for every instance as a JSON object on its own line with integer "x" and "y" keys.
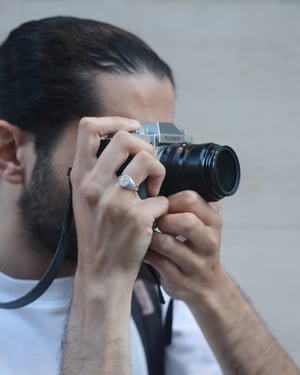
{"x": 213, "y": 171}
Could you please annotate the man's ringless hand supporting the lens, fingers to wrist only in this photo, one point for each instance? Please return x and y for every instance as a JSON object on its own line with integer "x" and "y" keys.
{"x": 185, "y": 250}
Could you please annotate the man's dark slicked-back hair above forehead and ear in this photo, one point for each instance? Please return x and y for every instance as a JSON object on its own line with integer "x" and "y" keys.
{"x": 48, "y": 69}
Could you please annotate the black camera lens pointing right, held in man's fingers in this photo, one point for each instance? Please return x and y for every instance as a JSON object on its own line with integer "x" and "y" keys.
{"x": 211, "y": 170}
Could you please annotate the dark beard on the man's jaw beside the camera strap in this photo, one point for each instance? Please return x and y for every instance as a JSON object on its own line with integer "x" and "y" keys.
{"x": 41, "y": 207}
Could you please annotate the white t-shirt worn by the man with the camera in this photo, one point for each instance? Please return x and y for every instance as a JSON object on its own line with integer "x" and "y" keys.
{"x": 31, "y": 337}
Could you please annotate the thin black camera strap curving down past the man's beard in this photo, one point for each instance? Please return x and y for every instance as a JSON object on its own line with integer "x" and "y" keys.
{"x": 54, "y": 267}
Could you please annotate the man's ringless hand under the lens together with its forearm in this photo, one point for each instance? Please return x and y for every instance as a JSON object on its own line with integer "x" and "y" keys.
{"x": 185, "y": 251}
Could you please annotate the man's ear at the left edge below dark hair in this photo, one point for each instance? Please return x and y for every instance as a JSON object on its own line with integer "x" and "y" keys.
{"x": 11, "y": 138}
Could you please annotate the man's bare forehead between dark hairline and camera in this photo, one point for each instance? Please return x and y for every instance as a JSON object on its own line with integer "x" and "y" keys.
{"x": 143, "y": 97}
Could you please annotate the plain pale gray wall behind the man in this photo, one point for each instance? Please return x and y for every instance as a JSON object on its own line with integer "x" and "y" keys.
{"x": 237, "y": 67}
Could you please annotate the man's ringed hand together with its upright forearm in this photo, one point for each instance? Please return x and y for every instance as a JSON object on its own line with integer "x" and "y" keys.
{"x": 114, "y": 229}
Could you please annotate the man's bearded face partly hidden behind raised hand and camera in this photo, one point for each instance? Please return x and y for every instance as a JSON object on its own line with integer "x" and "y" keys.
{"x": 142, "y": 97}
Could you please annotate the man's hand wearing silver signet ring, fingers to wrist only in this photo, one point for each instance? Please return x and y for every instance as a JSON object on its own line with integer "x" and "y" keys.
{"x": 114, "y": 226}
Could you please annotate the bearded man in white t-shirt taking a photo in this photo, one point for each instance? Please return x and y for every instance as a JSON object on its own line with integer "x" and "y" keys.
{"x": 66, "y": 85}
